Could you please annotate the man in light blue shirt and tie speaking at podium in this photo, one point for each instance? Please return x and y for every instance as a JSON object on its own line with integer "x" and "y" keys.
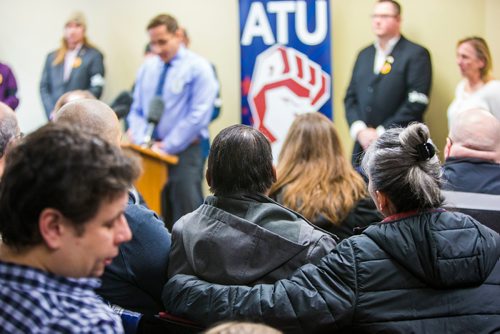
{"x": 182, "y": 86}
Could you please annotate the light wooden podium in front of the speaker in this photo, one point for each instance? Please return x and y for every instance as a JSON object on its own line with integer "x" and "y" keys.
{"x": 154, "y": 174}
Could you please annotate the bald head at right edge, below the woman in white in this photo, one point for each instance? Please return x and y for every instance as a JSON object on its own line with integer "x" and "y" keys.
{"x": 475, "y": 133}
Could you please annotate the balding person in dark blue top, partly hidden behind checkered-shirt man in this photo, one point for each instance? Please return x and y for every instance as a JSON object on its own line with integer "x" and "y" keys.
{"x": 136, "y": 277}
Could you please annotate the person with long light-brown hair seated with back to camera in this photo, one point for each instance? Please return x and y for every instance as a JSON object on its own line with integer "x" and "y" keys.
{"x": 315, "y": 179}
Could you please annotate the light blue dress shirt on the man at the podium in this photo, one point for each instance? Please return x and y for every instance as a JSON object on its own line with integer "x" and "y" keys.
{"x": 189, "y": 93}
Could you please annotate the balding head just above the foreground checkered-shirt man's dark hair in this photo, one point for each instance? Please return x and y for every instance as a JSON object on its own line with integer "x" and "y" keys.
{"x": 93, "y": 115}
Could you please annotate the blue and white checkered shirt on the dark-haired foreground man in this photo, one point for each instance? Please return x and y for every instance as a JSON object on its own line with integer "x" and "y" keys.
{"x": 33, "y": 301}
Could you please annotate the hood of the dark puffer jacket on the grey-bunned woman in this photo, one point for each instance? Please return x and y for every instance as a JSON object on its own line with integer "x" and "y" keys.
{"x": 443, "y": 249}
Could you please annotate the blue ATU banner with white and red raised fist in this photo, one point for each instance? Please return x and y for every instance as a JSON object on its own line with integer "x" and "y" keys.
{"x": 285, "y": 63}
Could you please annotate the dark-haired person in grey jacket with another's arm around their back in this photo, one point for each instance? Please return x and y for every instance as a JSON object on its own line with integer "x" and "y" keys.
{"x": 239, "y": 235}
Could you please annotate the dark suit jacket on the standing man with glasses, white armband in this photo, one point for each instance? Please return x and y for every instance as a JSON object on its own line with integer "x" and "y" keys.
{"x": 393, "y": 99}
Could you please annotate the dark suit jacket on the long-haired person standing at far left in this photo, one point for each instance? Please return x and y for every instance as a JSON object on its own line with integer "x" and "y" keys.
{"x": 88, "y": 75}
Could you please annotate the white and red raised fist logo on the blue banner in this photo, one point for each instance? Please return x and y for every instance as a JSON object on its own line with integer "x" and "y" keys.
{"x": 285, "y": 83}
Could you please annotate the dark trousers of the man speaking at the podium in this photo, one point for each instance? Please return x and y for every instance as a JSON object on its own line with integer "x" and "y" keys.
{"x": 182, "y": 194}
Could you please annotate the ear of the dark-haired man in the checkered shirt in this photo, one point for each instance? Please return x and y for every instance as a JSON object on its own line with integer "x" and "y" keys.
{"x": 51, "y": 224}
